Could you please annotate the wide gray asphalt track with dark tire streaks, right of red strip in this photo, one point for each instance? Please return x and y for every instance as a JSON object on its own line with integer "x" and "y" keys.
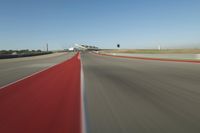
{"x": 138, "y": 96}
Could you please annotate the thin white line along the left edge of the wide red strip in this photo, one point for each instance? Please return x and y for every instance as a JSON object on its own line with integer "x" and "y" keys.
{"x": 32, "y": 74}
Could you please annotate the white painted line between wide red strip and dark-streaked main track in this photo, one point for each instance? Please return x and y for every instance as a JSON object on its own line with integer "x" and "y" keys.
{"x": 83, "y": 113}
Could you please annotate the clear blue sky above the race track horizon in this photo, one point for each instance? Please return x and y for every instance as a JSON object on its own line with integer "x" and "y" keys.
{"x": 30, "y": 24}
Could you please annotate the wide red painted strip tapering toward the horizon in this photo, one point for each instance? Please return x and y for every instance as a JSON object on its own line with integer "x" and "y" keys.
{"x": 48, "y": 102}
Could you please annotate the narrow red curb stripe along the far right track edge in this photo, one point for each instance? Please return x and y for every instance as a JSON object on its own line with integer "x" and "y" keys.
{"x": 158, "y": 59}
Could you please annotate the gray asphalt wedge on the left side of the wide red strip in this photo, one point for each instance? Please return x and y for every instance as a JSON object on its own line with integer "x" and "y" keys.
{"x": 15, "y": 69}
